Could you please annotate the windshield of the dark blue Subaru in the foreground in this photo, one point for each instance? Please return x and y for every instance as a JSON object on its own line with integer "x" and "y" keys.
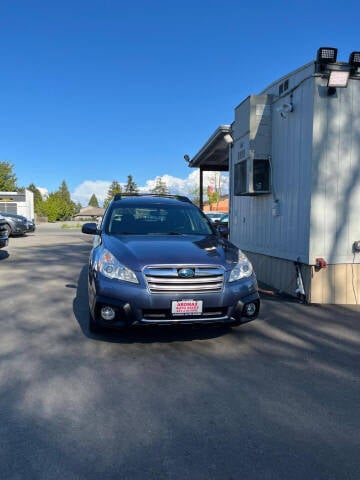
{"x": 157, "y": 220}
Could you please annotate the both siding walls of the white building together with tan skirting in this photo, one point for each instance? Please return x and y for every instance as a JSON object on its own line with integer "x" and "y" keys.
{"x": 315, "y": 157}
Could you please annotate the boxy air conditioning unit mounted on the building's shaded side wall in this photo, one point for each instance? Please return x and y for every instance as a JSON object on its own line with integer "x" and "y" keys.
{"x": 252, "y": 177}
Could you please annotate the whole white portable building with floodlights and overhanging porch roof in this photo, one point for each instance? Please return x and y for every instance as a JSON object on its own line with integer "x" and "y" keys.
{"x": 294, "y": 165}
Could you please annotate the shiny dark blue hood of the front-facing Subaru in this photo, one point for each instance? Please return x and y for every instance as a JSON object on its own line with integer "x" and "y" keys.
{"x": 138, "y": 251}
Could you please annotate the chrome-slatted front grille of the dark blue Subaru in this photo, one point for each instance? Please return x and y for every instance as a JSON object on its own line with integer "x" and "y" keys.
{"x": 166, "y": 279}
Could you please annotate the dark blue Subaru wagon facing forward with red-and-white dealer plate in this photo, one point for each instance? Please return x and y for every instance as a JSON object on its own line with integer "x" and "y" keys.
{"x": 160, "y": 260}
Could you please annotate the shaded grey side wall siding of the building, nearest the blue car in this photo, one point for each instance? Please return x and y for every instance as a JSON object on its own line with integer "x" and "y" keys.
{"x": 253, "y": 225}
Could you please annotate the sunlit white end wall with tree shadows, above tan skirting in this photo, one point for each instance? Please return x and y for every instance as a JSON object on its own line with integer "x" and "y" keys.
{"x": 335, "y": 180}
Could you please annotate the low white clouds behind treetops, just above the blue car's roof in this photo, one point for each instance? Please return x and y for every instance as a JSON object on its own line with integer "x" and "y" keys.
{"x": 180, "y": 186}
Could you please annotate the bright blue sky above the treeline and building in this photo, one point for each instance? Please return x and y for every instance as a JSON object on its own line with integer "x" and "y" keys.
{"x": 92, "y": 91}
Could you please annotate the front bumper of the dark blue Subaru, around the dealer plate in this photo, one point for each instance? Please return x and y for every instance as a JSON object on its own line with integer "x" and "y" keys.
{"x": 134, "y": 305}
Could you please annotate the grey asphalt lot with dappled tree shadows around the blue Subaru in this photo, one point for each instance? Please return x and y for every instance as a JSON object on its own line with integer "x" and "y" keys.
{"x": 278, "y": 398}
